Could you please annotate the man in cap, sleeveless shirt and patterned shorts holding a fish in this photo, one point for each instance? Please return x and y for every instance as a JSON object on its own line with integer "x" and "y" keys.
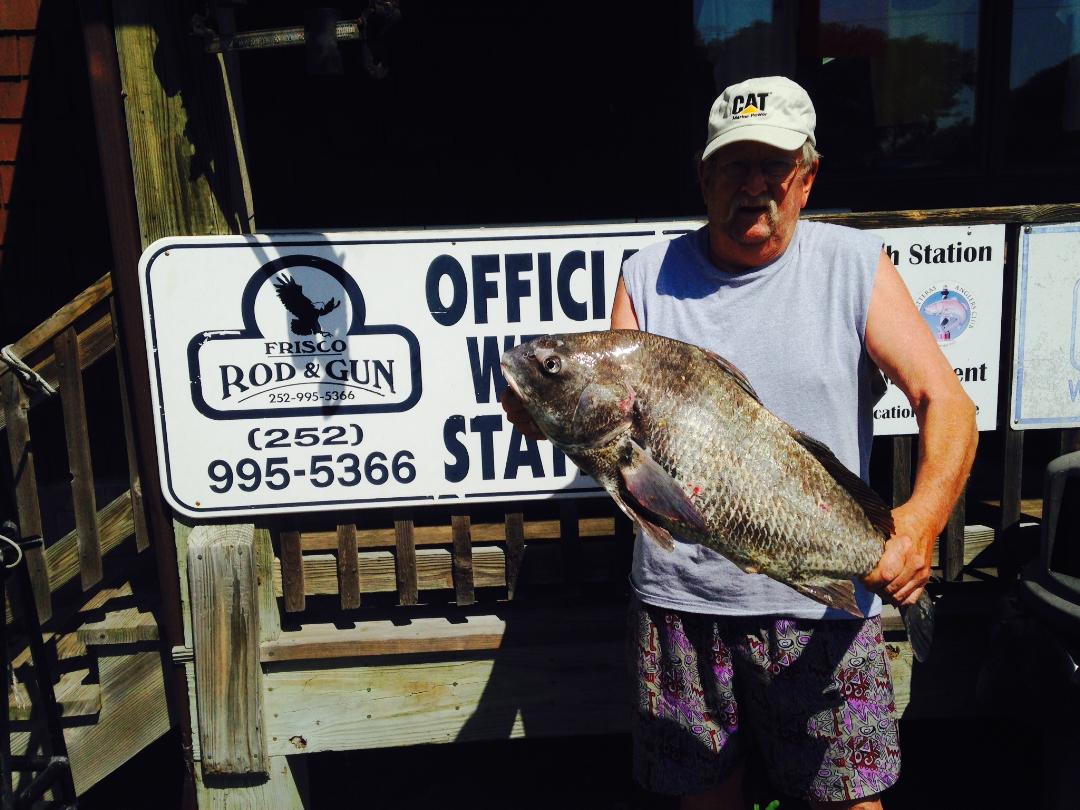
{"x": 726, "y": 660}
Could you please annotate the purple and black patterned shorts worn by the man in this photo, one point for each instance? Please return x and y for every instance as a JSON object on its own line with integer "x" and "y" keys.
{"x": 815, "y": 698}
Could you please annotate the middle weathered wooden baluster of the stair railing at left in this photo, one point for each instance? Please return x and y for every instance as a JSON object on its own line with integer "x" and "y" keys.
{"x": 77, "y": 434}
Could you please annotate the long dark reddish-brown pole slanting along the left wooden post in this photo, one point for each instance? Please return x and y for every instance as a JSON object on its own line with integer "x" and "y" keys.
{"x": 115, "y": 154}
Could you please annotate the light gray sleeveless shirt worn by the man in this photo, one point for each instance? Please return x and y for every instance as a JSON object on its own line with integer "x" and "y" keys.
{"x": 795, "y": 328}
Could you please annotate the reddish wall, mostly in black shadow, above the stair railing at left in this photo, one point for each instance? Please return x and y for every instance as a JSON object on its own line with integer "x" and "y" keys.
{"x": 53, "y": 228}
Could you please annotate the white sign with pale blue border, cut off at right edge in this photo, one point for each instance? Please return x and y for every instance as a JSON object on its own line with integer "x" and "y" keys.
{"x": 1046, "y": 386}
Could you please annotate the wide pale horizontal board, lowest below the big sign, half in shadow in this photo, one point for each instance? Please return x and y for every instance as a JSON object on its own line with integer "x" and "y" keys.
{"x": 541, "y": 692}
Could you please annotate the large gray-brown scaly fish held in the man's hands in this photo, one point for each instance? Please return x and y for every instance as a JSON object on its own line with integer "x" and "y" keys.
{"x": 681, "y": 441}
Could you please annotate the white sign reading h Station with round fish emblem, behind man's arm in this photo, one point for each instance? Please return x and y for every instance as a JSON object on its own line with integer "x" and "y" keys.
{"x": 955, "y": 275}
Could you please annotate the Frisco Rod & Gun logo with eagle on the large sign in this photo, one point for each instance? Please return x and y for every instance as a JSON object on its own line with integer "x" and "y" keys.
{"x": 305, "y": 349}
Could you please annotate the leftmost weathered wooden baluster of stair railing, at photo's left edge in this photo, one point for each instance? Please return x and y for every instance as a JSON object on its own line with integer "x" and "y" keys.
{"x": 21, "y": 453}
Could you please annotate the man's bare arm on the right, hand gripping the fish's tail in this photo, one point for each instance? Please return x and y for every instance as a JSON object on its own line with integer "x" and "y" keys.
{"x": 900, "y": 343}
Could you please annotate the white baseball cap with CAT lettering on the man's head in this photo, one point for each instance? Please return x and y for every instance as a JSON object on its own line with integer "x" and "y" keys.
{"x": 772, "y": 110}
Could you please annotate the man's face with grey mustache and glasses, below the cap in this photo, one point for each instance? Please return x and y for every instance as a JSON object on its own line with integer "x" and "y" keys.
{"x": 753, "y": 205}
